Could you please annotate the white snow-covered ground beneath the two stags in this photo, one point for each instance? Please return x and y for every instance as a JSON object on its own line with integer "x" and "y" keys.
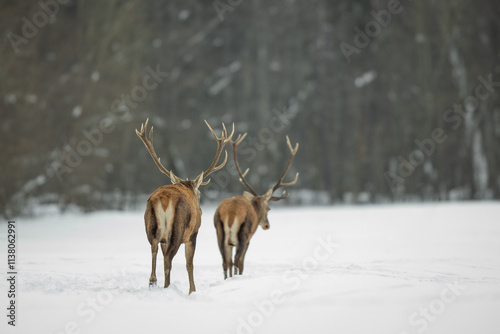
{"x": 432, "y": 268}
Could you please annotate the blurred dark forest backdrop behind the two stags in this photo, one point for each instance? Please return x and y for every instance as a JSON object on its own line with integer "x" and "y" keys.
{"x": 390, "y": 101}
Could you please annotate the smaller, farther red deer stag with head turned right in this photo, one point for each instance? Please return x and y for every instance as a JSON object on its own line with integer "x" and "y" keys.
{"x": 236, "y": 218}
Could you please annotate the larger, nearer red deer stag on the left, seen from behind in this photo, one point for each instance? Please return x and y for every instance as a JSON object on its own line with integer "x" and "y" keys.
{"x": 173, "y": 213}
